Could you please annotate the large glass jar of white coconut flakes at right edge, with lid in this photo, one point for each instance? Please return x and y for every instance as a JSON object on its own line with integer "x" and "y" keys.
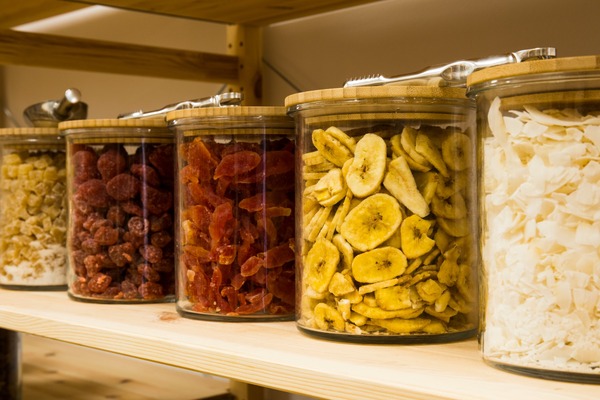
{"x": 539, "y": 136}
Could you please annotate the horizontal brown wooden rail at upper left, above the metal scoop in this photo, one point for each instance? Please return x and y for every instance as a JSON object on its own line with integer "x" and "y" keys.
{"x": 44, "y": 50}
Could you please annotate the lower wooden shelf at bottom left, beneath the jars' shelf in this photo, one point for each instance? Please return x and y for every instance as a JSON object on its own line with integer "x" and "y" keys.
{"x": 57, "y": 370}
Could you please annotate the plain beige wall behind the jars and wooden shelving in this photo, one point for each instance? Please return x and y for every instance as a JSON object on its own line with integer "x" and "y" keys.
{"x": 389, "y": 37}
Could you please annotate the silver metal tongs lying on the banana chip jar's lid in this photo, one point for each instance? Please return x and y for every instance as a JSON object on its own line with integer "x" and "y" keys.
{"x": 454, "y": 73}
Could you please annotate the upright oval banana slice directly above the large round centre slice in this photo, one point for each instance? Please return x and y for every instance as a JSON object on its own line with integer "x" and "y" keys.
{"x": 367, "y": 169}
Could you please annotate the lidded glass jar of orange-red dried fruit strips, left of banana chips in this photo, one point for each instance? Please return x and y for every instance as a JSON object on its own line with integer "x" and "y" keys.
{"x": 235, "y": 226}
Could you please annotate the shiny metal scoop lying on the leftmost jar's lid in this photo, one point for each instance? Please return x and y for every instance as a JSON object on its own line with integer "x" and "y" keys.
{"x": 50, "y": 113}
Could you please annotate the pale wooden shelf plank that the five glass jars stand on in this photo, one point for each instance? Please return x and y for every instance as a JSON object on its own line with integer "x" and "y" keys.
{"x": 276, "y": 355}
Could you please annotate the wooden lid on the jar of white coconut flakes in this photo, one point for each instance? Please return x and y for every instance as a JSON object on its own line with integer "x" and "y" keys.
{"x": 566, "y": 64}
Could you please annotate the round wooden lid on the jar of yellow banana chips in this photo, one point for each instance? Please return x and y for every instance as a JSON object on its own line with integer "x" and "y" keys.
{"x": 375, "y": 92}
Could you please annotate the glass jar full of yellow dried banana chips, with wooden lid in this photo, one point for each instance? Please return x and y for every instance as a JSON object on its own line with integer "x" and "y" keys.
{"x": 386, "y": 216}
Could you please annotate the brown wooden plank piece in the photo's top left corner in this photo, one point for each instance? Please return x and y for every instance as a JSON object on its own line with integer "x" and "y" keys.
{"x": 21, "y": 12}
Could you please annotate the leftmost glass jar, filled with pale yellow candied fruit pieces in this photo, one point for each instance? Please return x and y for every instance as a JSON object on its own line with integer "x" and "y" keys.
{"x": 33, "y": 215}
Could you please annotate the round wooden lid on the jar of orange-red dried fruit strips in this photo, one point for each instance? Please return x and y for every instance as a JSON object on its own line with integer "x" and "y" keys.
{"x": 238, "y": 111}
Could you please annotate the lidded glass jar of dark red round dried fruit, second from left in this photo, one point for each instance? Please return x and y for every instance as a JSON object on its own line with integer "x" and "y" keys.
{"x": 121, "y": 210}
